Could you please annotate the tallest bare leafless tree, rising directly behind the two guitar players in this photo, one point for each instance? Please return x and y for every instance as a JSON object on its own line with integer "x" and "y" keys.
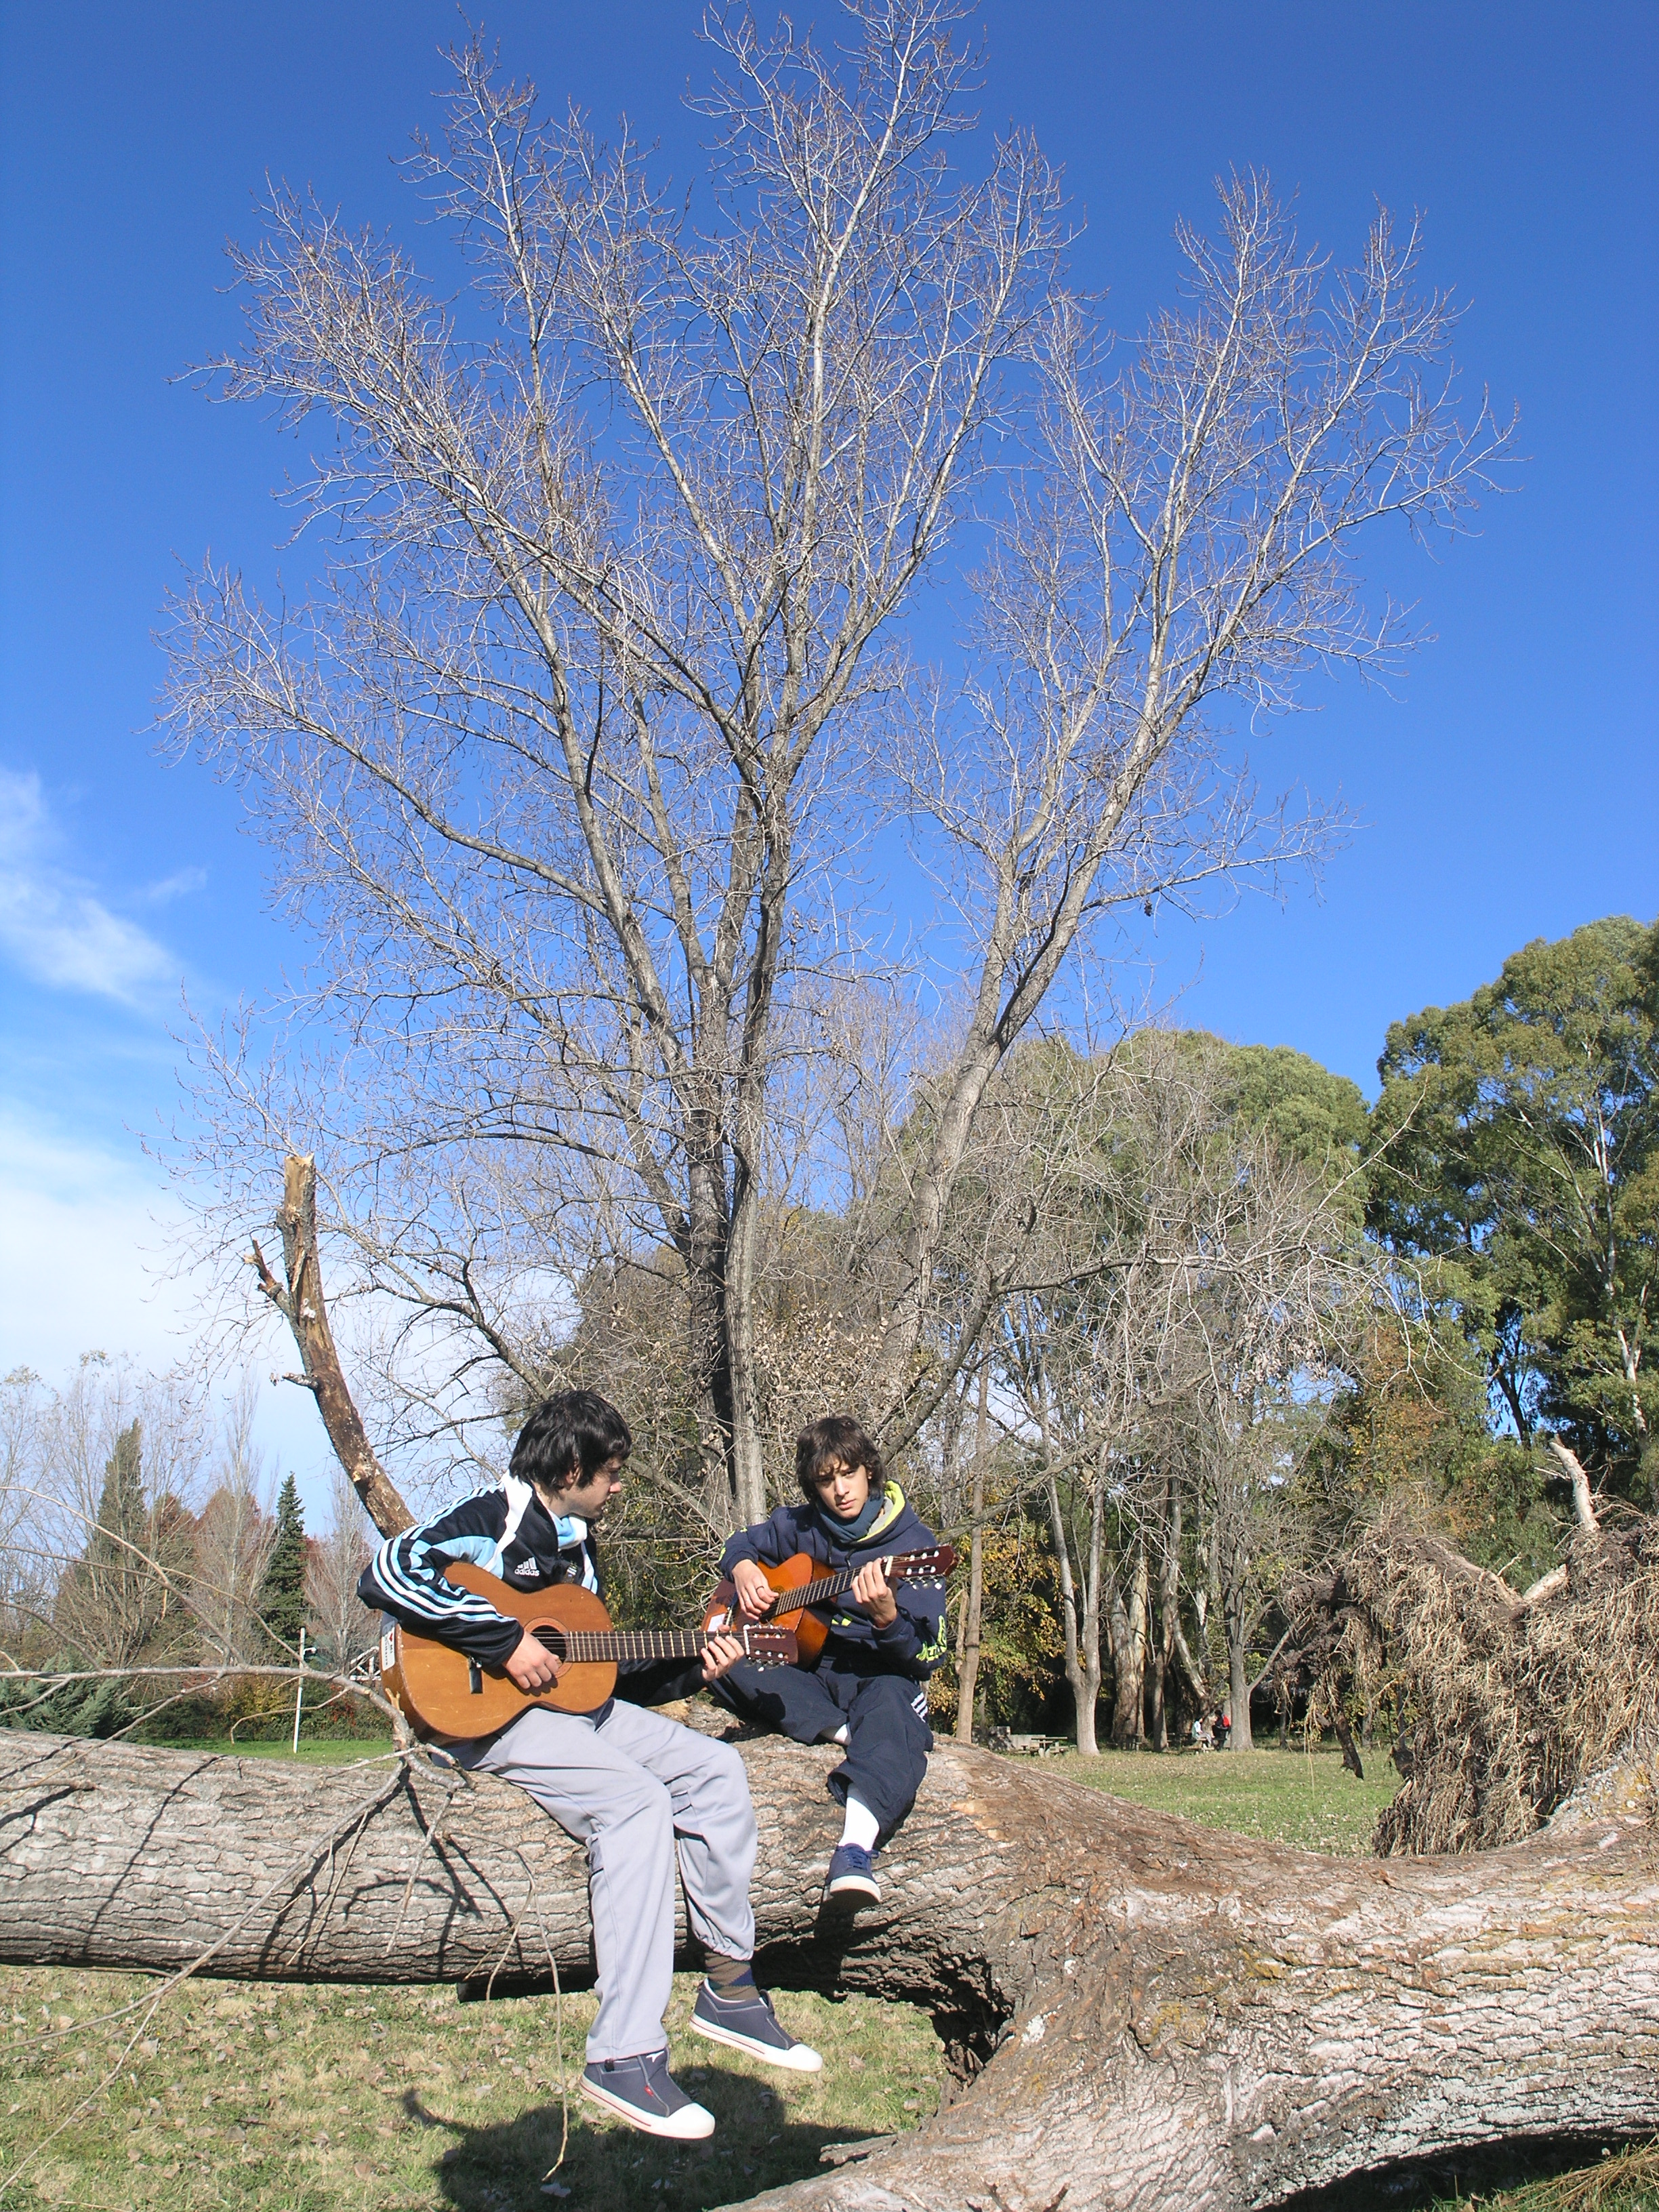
{"x": 559, "y": 742}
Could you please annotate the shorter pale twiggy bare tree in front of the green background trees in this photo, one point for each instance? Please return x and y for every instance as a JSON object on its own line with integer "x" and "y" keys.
{"x": 1196, "y": 1282}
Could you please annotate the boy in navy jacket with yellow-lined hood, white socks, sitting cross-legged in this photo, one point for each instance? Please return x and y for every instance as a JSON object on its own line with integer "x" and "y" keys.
{"x": 870, "y": 1684}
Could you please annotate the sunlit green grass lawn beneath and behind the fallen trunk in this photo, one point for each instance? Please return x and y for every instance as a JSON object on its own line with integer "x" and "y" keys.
{"x": 377, "y": 2100}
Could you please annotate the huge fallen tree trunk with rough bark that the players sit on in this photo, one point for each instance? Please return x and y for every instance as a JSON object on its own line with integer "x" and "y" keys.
{"x": 1140, "y": 2014}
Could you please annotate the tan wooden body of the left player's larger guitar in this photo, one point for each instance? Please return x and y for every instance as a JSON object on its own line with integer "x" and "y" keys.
{"x": 441, "y": 1693}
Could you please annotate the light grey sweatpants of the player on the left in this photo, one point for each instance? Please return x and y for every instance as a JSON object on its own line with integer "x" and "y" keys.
{"x": 634, "y": 1788}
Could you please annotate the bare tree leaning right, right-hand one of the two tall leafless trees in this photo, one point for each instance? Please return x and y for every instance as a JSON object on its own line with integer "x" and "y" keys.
{"x": 1185, "y": 539}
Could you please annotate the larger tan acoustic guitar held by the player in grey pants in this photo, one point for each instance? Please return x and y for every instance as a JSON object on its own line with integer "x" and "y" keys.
{"x": 444, "y": 1693}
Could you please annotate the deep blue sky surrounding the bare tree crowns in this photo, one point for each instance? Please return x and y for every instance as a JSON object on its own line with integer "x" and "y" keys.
{"x": 1505, "y": 793}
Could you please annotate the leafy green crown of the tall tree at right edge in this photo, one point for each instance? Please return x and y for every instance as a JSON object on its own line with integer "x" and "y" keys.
{"x": 1516, "y": 1165}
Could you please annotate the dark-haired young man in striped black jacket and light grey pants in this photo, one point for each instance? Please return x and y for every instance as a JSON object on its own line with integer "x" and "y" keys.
{"x": 629, "y": 1784}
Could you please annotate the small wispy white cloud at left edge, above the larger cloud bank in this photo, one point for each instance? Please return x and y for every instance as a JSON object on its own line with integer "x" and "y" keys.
{"x": 52, "y": 924}
